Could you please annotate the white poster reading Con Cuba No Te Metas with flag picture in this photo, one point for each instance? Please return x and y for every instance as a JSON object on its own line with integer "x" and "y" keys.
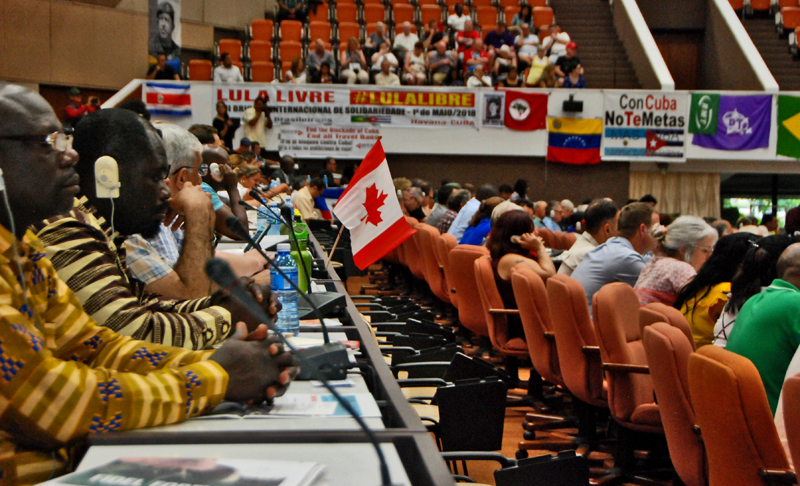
{"x": 645, "y": 126}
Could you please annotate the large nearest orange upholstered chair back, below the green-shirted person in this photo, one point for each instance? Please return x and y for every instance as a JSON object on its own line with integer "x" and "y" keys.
{"x": 741, "y": 441}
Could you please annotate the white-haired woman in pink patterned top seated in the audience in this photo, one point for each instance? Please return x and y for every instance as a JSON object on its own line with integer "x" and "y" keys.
{"x": 683, "y": 247}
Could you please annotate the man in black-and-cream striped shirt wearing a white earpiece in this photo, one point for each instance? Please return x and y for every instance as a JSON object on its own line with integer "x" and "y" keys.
{"x": 92, "y": 262}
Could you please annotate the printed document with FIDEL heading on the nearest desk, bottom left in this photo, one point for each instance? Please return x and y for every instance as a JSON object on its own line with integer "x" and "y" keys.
{"x": 145, "y": 471}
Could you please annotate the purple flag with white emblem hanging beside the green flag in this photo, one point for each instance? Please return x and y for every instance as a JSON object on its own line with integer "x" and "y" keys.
{"x": 743, "y": 123}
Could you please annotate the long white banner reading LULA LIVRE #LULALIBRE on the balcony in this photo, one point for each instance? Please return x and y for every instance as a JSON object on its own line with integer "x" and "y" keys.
{"x": 314, "y": 105}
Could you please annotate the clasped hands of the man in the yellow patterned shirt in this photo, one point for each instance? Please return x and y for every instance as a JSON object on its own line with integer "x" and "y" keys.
{"x": 257, "y": 369}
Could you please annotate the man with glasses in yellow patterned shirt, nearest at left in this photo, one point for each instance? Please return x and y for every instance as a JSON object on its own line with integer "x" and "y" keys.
{"x": 62, "y": 376}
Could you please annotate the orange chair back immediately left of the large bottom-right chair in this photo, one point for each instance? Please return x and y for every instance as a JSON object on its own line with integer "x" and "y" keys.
{"x": 668, "y": 350}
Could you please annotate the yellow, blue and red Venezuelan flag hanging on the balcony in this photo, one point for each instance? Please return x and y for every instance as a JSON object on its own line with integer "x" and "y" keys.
{"x": 574, "y": 141}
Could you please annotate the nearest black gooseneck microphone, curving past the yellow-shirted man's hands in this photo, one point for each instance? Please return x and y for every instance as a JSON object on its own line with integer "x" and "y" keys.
{"x": 220, "y": 273}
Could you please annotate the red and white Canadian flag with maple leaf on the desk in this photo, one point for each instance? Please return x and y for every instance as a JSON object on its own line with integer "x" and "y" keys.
{"x": 370, "y": 210}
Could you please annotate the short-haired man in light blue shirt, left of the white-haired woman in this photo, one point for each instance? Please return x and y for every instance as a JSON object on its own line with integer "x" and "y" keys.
{"x": 620, "y": 259}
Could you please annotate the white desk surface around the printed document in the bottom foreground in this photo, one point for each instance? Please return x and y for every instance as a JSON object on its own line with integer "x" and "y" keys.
{"x": 346, "y": 464}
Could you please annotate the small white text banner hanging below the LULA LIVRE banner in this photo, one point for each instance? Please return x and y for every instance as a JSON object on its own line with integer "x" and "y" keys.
{"x": 316, "y": 142}
